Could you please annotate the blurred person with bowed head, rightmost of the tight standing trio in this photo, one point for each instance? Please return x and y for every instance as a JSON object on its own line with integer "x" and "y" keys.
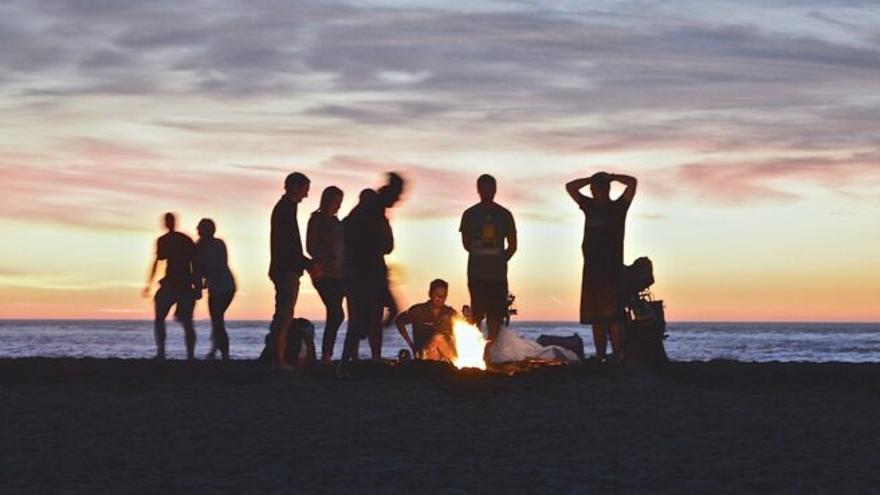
{"x": 368, "y": 238}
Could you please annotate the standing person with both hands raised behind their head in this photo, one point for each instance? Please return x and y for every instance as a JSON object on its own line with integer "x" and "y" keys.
{"x": 604, "y": 226}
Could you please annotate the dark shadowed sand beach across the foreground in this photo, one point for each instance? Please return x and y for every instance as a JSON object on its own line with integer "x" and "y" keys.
{"x": 106, "y": 426}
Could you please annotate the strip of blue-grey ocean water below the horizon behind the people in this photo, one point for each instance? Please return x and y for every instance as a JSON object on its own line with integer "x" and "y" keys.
{"x": 810, "y": 342}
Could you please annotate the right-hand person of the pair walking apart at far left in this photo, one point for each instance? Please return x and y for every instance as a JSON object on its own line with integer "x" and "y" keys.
{"x": 211, "y": 270}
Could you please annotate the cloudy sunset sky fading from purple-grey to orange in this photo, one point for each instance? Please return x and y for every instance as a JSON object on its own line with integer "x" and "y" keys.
{"x": 753, "y": 128}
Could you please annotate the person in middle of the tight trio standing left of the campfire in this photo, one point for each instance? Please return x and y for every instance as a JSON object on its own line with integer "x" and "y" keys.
{"x": 325, "y": 243}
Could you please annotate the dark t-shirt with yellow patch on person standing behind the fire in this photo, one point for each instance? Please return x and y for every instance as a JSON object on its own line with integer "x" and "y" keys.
{"x": 487, "y": 226}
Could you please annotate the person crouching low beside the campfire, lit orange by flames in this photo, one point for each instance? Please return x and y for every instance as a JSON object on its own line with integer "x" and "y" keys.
{"x": 432, "y": 325}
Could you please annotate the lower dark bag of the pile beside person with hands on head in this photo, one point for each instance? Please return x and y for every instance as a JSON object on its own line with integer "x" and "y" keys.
{"x": 644, "y": 333}
